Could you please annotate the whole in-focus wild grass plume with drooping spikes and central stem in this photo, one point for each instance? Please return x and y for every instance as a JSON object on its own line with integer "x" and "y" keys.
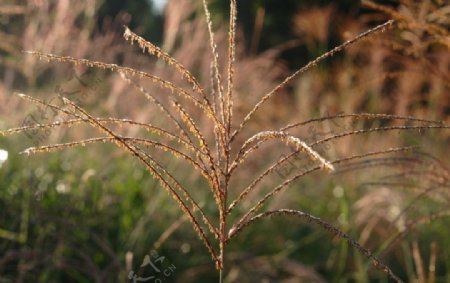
{"x": 214, "y": 151}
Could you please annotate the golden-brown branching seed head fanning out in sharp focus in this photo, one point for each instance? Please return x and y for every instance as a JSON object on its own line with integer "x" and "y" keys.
{"x": 218, "y": 170}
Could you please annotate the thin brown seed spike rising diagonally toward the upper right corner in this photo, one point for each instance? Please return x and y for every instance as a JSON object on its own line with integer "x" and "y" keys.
{"x": 306, "y": 68}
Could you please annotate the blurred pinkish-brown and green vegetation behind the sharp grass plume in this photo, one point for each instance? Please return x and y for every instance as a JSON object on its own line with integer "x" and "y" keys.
{"x": 93, "y": 214}
